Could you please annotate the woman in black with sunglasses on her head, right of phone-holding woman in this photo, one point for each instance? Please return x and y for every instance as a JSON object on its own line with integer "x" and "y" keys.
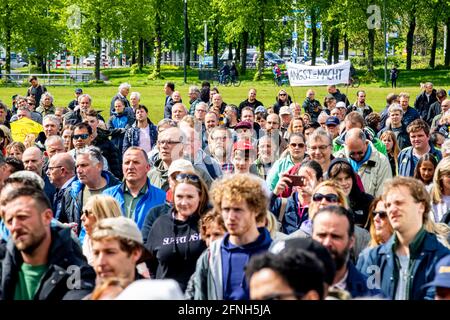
{"x": 342, "y": 173}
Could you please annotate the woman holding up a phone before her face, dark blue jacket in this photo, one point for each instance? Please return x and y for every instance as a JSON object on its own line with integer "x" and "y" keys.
{"x": 301, "y": 181}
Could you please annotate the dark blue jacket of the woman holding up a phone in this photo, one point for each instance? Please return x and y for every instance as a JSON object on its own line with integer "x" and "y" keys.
{"x": 291, "y": 221}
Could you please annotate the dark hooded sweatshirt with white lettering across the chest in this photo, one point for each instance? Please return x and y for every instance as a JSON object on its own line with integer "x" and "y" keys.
{"x": 176, "y": 245}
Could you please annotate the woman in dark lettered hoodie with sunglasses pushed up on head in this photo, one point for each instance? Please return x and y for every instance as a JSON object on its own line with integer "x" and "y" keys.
{"x": 175, "y": 238}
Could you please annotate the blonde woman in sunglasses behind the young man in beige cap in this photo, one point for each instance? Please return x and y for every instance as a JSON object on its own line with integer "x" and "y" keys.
{"x": 98, "y": 207}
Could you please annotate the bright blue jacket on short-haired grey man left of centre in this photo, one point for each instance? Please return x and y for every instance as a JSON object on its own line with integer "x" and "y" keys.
{"x": 152, "y": 198}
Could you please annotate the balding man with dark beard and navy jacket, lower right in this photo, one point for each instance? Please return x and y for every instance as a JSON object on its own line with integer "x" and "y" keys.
{"x": 334, "y": 227}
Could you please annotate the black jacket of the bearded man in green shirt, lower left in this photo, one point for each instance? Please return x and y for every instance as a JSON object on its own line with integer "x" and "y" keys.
{"x": 65, "y": 263}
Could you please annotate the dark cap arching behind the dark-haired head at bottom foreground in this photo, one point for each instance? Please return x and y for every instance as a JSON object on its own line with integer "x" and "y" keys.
{"x": 312, "y": 246}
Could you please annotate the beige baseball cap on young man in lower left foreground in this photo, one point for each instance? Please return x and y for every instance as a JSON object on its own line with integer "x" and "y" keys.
{"x": 118, "y": 227}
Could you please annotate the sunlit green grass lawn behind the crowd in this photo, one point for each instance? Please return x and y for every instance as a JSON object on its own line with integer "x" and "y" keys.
{"x": 152, "y": 94}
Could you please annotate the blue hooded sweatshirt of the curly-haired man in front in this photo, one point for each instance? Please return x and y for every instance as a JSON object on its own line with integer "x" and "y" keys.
{"x": 234, "y": 260}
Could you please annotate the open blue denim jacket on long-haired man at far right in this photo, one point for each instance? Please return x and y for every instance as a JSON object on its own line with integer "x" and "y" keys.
{"x": 380, "y": 265}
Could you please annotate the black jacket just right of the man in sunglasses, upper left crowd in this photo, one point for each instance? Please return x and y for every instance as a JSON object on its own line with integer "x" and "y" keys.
{"x": 110, "y": 152}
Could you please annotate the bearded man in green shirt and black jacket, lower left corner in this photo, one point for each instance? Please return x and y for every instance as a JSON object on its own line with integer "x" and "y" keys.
{"x": 40, "y": 259}
